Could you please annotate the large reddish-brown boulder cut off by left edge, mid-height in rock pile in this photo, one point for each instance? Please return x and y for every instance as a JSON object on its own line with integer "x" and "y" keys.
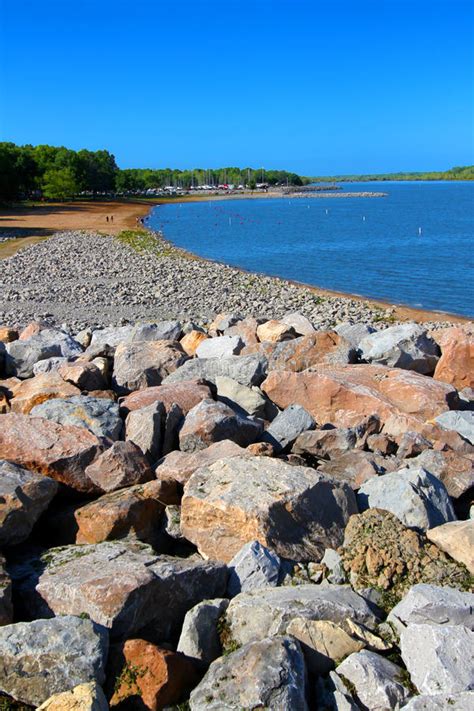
{"x": 60, "y": 452}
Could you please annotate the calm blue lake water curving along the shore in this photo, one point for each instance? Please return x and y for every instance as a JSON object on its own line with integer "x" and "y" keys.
{"x": 367, "y": 246}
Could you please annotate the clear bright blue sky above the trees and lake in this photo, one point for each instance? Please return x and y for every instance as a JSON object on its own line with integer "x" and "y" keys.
{"x": 315, "y": 86}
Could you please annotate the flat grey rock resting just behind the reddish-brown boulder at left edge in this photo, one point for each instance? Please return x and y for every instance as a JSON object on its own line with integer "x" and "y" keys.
{"x": 98, "y": 415}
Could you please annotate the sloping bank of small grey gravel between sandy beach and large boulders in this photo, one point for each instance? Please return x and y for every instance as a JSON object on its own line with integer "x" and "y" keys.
{"x": 78, "y": 279}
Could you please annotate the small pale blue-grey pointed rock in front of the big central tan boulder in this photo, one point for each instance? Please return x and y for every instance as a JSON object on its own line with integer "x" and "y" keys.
{"x": 253, "y": 567}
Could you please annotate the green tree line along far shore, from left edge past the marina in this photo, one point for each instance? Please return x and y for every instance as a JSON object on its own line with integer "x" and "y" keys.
{"x": 60, "y": 173}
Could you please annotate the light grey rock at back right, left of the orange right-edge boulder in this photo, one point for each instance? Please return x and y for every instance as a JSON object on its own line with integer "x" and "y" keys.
{"x": 405, "y": 346}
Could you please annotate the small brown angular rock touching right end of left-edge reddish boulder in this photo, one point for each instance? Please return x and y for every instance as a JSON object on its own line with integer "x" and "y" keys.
{"x": 123, "y": 464}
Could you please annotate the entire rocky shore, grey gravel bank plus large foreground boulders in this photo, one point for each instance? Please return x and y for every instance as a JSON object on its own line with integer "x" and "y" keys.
{"x": 268, "y": 510}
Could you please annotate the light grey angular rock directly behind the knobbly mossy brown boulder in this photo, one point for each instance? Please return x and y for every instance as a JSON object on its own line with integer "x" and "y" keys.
{"x": 415, "y": 496}
